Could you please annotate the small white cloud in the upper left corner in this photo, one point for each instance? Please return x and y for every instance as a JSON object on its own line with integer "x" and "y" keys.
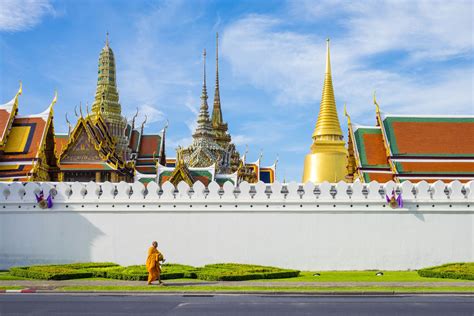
{"x": 19, "y": 15}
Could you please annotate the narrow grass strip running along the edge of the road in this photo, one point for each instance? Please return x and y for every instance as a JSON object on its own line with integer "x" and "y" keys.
{"x": 302, "y": 289}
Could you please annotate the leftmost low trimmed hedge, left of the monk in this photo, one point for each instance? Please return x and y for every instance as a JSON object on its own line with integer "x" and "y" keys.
{"x": 59, "y": 272}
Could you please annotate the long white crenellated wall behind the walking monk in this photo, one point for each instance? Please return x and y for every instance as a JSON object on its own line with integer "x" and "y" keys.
{"x": 325, "y": 227}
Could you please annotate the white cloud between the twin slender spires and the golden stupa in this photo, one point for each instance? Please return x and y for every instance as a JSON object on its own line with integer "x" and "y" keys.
{"x": 279, "y": 62}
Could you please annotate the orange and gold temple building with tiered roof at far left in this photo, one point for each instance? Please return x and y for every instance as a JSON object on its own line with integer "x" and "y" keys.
{"x": 27, "y": 144}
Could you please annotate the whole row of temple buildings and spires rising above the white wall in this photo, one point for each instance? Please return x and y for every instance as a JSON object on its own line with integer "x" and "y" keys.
{"x": 104, "y": 146}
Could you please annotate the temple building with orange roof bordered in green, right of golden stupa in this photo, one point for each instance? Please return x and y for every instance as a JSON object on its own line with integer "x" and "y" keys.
{"x": 412, "y": 147}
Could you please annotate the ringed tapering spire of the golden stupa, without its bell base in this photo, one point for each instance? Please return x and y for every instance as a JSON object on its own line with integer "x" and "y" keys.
{"x": 327, "y": 126}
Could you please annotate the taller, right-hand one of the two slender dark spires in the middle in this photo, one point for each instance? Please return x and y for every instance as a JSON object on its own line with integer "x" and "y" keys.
{"x": 220, "y": 128}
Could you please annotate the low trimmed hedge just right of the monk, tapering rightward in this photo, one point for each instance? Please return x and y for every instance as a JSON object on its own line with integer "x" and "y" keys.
{"x": 242, "y": 272}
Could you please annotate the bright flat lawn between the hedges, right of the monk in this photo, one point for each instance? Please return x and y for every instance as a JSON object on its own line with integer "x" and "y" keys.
{"x": 360, "y": 276}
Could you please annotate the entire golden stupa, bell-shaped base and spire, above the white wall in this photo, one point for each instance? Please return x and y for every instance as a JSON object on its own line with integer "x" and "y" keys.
{"x": 327, "y": 160}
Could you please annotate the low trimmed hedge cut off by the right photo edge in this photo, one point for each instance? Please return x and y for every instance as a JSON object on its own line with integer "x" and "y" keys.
{"x": 460, "y": 270}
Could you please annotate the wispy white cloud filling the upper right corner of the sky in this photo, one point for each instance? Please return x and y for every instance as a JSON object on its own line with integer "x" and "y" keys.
{"x": 433, "y": 29}
